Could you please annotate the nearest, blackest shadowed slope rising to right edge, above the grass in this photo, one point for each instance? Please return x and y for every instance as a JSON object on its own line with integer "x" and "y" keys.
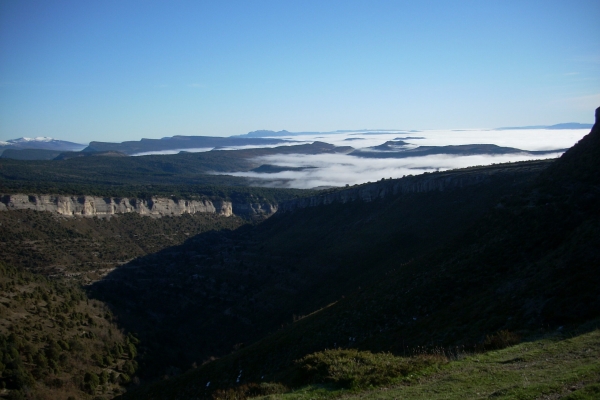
{"x": 530, "y": 265}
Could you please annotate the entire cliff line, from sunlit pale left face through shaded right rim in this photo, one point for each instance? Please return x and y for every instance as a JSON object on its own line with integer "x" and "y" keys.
{"x": 96, "y": 206}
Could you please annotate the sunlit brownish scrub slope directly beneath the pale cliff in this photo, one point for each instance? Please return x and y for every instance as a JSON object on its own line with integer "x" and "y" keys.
{"x": 88, "y": 248}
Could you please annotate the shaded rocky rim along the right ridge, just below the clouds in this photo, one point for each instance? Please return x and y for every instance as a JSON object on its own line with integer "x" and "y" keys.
{"x": 438, "y": 181}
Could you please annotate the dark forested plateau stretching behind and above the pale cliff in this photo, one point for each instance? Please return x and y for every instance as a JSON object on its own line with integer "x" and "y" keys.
{"x": 188, "y": 174}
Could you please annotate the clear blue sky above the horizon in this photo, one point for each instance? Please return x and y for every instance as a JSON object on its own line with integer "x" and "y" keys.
{"x": 123, "y": 70}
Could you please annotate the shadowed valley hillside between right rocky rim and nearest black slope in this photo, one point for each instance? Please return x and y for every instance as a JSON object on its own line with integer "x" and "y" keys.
{"x": 237, "y": 286}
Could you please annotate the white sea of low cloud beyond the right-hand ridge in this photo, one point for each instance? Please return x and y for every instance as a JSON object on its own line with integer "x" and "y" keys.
{"x": 342, "y": 169}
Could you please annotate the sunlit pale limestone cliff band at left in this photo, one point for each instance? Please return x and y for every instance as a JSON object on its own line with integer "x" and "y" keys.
{"x": 90, "y": 206}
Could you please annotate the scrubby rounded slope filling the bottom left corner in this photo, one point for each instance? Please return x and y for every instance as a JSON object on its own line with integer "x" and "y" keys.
{"x": 55, "y": 343}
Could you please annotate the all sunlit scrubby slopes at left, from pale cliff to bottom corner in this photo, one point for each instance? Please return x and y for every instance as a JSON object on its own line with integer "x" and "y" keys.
{"x": 55, "y": 342}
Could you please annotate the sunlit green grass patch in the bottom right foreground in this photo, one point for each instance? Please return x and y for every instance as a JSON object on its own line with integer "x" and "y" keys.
{"x": 553, "y": 367}
